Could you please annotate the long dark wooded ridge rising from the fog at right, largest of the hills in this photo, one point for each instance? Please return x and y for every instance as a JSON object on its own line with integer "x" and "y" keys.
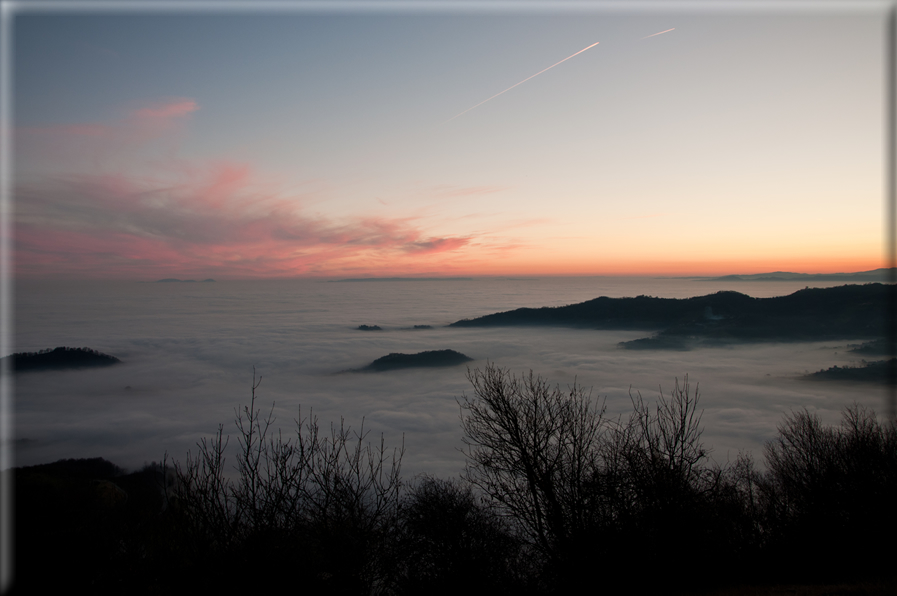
{"x": 850, "y": 311}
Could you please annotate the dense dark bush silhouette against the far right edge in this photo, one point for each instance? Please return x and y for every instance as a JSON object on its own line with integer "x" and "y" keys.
{"x": 829, "y": 494}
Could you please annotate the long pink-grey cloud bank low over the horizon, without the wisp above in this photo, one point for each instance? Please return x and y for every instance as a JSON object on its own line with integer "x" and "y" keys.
{"x": 213, "y": 222}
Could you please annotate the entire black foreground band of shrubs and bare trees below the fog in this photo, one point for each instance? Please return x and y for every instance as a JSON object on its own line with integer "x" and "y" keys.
{"x": 556, "y": 498}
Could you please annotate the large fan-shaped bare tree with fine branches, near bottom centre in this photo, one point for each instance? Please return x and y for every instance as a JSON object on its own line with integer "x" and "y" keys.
{"x": 534, "y": 450}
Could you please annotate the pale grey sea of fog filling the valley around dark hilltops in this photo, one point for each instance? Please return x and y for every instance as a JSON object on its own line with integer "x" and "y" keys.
{"x": 188, "y": 352}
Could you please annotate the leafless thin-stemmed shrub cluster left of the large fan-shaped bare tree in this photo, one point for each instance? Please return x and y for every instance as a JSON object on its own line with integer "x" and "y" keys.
{"x": 322, "y": 504}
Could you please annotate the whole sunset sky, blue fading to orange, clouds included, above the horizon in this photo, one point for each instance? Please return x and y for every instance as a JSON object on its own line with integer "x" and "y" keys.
{"x": 286, "y": 143}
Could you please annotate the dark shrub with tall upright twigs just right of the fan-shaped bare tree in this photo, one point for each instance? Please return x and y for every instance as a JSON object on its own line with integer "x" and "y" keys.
{"x": 666, "y": 499}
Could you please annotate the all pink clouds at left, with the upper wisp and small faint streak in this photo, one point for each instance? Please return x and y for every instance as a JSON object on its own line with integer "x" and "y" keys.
{"x": 187, "y": 218}
